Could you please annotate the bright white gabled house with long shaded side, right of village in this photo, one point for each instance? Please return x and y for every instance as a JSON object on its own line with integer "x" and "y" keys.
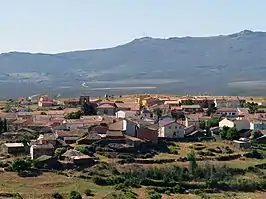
{"x": 238, "y": 124}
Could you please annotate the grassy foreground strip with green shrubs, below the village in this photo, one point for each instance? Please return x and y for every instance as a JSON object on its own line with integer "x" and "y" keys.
{"x": 207, "y": 170}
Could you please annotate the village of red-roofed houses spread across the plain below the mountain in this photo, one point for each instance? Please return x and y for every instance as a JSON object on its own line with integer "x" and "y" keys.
{"x": 81, "y": 133}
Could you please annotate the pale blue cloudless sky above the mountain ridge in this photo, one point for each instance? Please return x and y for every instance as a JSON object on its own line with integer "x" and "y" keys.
{"x": 52, "y": 26}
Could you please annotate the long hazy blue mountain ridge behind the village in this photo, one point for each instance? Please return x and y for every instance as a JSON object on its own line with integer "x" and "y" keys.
{"x": 224, "y": 65}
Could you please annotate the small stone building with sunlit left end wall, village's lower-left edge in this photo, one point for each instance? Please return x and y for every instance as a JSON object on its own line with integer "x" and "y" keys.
{"x": 38, "y": 150}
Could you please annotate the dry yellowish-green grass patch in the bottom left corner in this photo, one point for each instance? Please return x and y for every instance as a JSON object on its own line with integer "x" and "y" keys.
{"x": 46, "y": 184}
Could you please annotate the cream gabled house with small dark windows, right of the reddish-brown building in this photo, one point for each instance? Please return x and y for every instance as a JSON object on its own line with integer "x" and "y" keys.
{"x": 171, "y": 129}
